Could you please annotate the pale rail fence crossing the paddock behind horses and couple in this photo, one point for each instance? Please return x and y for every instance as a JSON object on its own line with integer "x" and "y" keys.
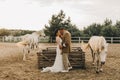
{"x": 51, "y": 40}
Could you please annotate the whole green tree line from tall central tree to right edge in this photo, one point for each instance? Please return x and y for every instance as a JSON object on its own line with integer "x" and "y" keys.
{"x": 105, "y": 29}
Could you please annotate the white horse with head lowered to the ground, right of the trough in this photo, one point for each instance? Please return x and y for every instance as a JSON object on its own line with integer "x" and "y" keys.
{"x": 98, "y": 47}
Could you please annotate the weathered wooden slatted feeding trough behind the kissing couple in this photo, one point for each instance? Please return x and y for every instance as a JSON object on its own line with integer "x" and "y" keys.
{"x": 47, "y": 57}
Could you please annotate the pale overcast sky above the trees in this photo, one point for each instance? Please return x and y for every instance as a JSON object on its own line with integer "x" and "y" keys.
{"x": 34, "y": 14}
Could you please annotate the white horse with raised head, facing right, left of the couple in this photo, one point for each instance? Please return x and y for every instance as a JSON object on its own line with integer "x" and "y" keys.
{"x": 30, "y": 41}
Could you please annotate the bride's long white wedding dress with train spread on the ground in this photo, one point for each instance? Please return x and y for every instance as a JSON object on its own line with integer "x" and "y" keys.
{"x": 58, "y": 64}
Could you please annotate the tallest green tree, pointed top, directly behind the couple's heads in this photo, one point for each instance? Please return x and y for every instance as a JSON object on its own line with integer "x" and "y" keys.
{"x": 58, "y": 21}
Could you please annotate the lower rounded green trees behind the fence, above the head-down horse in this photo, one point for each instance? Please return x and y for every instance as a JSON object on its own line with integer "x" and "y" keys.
{"x": 106, "y": 29}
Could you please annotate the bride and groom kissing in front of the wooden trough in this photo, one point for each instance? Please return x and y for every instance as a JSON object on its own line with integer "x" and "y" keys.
{"x": 61, "y": 64}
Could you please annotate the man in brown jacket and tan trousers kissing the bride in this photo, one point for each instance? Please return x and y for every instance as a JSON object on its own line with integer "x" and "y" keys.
{"x": 66, "y": 48}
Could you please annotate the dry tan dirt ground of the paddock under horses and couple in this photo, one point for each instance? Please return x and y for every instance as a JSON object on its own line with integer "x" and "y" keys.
{"x": 13, "y": 68}
